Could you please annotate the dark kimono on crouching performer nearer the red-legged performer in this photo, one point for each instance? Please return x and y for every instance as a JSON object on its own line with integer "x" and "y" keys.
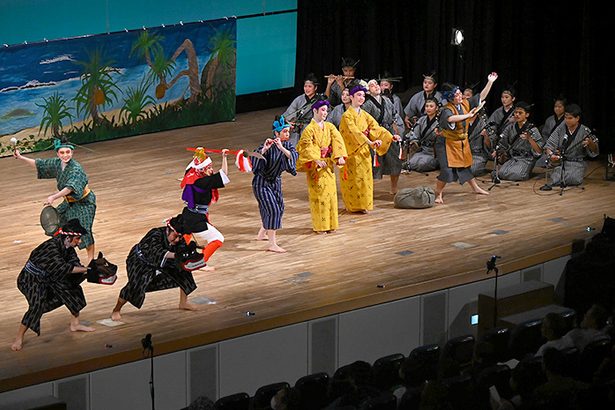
{"x": 148, "y": 269}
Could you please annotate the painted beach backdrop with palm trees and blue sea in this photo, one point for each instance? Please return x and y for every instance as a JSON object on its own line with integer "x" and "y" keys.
{"x": 115, "y": 85}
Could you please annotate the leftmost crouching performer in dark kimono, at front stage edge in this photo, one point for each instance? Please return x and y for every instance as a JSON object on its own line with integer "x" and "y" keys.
{"x": 51, "y": 278}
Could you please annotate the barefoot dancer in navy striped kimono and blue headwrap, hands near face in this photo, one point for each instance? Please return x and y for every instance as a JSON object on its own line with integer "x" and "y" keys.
{"x": 280, "y": 156}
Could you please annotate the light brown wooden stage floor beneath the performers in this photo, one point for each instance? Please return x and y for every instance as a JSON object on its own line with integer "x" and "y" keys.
{"x": 406, "y": 252}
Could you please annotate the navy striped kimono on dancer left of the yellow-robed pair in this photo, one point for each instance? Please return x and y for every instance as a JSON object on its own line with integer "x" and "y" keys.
{"x": 267, "y": 182}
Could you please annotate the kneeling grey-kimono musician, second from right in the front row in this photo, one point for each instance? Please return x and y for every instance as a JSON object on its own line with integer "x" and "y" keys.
{"x": 520, "y": 146}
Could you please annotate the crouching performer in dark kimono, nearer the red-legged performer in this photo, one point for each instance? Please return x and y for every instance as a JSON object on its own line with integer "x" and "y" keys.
{"x": 153, "y": 265}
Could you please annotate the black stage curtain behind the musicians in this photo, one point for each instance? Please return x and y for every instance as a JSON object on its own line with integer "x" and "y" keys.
{"x": 544, "y": 48}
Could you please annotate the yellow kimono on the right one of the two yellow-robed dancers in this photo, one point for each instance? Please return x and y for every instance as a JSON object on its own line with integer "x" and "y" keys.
{"x": 357, "y": 181}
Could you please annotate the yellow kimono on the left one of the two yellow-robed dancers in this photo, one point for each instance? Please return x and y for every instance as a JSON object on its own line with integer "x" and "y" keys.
{"x": 325, "y": 144}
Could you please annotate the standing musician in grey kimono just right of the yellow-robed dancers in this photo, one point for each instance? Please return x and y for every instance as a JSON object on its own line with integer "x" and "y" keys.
{"x": 384, "y": 112}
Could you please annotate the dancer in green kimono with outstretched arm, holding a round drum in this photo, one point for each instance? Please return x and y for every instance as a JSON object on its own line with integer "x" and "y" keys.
{"x": 72, "y": 183}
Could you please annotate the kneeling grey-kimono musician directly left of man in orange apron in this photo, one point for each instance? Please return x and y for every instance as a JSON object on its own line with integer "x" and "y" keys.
{"x": 421, "y": 139}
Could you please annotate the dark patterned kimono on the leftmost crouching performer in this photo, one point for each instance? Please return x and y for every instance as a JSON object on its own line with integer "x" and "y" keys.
{"x": 47, "y": 282}
